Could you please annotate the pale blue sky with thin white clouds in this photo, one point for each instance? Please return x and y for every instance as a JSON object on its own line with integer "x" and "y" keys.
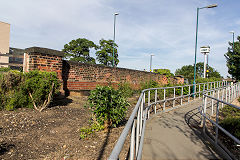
{"x": 165, "y": 28}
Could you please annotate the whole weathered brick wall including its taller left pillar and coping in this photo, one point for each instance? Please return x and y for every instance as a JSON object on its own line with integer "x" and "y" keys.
{"x": 84, "y": 77}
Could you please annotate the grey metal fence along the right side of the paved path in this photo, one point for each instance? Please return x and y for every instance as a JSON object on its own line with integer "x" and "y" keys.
{"x": 210, "y": 112}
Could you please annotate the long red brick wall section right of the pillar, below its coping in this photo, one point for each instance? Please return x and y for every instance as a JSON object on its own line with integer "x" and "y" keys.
{"x": 79, "y": 76}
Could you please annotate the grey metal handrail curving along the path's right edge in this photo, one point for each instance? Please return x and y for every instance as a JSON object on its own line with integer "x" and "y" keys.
{"x": 228, "y": 94}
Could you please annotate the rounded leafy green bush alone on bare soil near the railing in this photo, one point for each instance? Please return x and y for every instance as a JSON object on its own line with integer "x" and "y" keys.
{"x": 108, "y": 105}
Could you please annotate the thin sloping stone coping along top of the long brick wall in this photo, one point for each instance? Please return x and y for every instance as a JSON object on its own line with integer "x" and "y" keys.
{"x": 103, "y": 66}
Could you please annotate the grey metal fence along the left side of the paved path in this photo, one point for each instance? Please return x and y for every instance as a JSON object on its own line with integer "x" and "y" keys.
{"x": 153, "y": 101}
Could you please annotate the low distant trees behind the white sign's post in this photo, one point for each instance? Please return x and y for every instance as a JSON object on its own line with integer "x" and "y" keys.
{"x": 188, "y": 71}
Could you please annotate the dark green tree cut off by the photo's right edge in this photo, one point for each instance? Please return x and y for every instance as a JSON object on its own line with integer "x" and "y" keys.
{"x": 233, "y": 59}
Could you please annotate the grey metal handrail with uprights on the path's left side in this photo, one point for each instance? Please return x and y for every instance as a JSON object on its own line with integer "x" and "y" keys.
{"x": 141, "y": 113}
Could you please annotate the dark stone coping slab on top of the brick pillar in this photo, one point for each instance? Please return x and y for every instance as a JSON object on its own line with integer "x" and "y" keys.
{"x": 44, "y": 51}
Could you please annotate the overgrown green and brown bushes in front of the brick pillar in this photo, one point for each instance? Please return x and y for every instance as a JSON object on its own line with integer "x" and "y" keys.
{"x": 31, "y": 89}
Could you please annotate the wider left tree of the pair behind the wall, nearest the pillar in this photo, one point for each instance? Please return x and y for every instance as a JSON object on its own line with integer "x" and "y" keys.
{"x": 78, "y": 50}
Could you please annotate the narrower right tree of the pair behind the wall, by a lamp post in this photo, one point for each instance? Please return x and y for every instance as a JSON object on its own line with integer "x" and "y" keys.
{"x": 105, "y": 54}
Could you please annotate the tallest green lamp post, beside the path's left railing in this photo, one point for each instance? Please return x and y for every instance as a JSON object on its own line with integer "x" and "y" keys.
{"x": 209, "y": 6}
